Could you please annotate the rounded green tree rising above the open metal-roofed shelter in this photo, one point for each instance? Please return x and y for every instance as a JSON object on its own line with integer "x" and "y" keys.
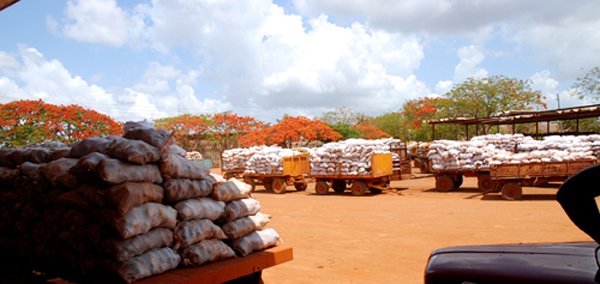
{"x": 488, "y": 96}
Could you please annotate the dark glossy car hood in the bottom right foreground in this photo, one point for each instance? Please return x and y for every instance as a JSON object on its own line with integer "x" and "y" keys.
{"x": 515, "y": 263}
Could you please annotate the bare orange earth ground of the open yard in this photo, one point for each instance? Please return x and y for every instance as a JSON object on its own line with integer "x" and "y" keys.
{"x": 387, "y": 238}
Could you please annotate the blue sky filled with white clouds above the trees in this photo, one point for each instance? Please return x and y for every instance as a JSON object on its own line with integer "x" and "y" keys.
{"x": 139, "y": 60}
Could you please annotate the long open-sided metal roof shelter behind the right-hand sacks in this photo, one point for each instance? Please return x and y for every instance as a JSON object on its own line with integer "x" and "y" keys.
{"x": 517, "y": 117}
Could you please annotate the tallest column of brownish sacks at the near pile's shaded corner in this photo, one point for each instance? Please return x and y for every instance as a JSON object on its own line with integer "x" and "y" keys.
{"x": 124, "y": 181}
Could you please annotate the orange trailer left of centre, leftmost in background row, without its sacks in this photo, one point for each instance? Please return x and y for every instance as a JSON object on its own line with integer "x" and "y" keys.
{"x": 295, "y": 172}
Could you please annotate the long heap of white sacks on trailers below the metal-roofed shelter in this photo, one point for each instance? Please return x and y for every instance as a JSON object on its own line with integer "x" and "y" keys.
{"x": 482, "y": 151}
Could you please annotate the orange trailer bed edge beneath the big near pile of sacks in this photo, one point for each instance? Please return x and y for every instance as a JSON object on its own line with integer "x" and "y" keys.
{"x": 226, "y": 270}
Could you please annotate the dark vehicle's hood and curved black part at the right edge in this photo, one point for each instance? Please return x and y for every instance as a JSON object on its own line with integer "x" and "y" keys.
{"x": 531, "y": 263}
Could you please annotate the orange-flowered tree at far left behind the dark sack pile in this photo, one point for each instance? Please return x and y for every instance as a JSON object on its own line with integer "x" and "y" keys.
{"x": 30, "y": 121}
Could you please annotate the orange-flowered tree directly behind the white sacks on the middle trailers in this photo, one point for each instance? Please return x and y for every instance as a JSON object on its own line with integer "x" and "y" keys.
{"x": 289, "y": 130}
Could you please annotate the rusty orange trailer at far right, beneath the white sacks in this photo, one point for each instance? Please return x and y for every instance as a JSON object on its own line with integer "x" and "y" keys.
{"x": 509, "y": 179}
